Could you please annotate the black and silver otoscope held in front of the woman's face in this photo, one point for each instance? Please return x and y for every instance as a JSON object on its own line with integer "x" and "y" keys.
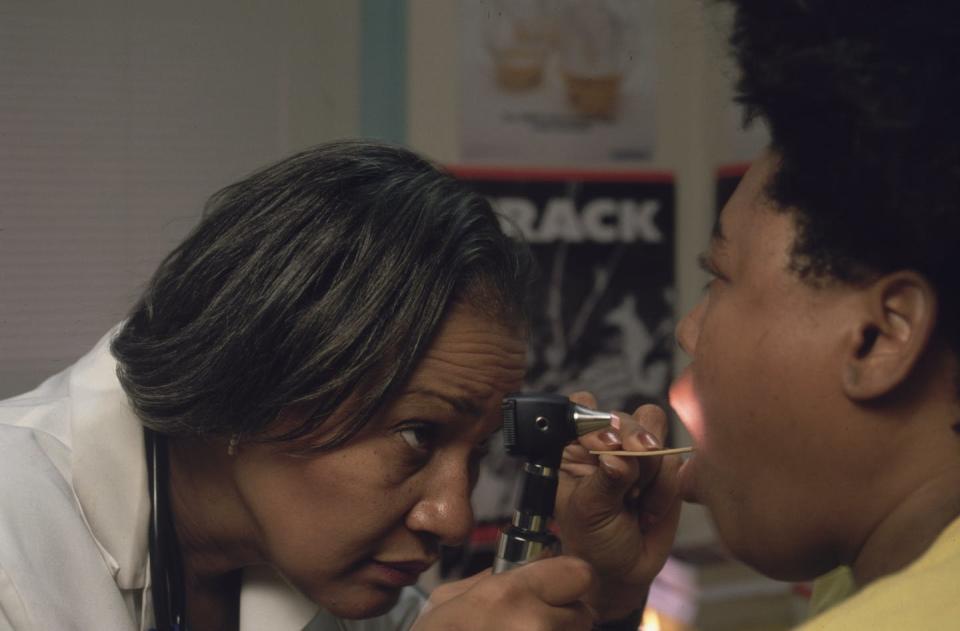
{"x": 537, "y": 427}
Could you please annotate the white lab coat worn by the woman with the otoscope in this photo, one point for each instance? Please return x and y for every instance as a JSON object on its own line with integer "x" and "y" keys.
{"x": 73, "y": 518}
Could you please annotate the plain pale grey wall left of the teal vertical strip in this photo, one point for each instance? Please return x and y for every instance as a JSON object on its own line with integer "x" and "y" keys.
{"x": 118, "y": 119}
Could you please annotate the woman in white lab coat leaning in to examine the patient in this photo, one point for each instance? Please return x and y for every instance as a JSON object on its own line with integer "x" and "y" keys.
{"x": 288, "y": 424}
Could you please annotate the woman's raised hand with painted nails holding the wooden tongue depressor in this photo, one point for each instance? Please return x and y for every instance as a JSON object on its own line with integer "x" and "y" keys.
{"x": 619, "y": 514}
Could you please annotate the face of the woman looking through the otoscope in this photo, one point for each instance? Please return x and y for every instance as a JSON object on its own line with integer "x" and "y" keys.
{"x": 352, "y": 526}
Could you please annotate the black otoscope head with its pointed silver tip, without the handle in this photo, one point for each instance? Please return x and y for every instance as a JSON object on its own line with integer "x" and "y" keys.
{"x": 537, "y": 426}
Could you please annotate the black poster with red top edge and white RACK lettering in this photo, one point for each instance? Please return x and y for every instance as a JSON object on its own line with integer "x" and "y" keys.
{"x": 603, "y": 305}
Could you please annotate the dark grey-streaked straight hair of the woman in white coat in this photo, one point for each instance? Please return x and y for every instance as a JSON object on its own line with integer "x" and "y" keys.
{"x": 316, "y": 280}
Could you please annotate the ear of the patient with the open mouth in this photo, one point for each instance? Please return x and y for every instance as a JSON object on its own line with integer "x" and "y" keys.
{"x": 892, "y": 325}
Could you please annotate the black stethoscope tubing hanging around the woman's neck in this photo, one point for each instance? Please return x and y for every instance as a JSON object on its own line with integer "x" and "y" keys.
{"x": 166, "y": 567}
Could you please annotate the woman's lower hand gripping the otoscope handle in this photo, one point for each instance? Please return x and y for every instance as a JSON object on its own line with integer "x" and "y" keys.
{"x": 542, "y": 596}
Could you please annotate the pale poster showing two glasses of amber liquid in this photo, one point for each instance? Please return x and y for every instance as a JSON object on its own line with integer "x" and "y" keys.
{"x": 557, "y": 81}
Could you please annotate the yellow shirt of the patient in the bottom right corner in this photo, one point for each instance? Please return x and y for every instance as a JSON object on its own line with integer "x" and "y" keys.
{"x": 924, "y": 595}
